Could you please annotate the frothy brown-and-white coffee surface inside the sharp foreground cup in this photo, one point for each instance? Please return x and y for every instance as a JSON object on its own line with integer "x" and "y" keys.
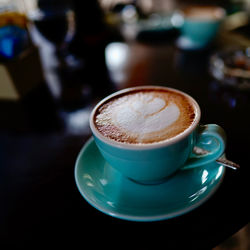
{"x": 145, "y": 116}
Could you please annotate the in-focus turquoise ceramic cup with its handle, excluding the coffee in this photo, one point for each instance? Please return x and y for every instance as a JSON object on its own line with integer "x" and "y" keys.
{"x": 150, "y": 163}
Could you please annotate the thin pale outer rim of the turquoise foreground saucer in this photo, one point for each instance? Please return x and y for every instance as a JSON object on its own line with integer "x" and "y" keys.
{"x": 127, "y": 217}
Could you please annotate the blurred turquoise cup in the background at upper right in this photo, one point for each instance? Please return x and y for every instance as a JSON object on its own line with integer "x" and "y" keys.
{"x": 199, "y": 27}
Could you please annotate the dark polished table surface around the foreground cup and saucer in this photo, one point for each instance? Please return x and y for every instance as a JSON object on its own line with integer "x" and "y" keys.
{"x": 41, "y": 136}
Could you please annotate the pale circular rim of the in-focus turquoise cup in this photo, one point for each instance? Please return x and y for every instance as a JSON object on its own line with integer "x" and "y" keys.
{"x": 143, "y": 146}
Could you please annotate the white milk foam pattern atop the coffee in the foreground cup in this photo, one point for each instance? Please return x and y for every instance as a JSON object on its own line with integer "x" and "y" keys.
{"x": 145, "y": 114}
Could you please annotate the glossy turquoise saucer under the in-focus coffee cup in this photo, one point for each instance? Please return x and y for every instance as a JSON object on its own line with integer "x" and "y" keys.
{"x": 113, "y": 194}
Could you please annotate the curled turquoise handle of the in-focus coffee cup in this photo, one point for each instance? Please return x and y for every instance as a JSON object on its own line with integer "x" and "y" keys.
{"x": 210, "y": 138}
